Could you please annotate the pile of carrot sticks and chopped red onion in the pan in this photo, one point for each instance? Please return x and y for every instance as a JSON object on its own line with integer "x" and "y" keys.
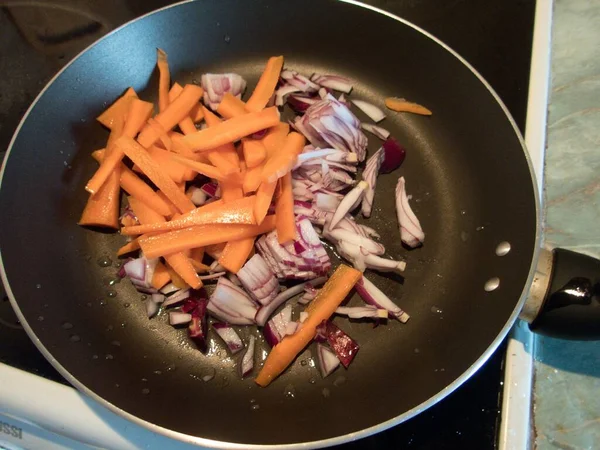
{"x": 222, "y": 191}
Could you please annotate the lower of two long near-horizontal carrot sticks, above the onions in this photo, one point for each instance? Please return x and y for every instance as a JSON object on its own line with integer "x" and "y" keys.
{"x": 201, "y": 236}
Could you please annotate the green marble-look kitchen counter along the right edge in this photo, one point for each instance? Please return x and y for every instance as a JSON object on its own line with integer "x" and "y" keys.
{"x": 567, "y": 374}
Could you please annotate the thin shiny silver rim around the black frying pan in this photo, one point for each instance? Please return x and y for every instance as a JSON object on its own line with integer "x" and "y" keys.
{"x": 196, "y": 440}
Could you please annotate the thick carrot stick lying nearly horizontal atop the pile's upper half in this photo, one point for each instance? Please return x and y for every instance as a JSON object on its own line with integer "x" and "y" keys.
{"x": 232, "y": 130}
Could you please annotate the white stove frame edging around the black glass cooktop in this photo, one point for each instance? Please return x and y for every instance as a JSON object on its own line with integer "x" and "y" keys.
{"x": 36, "y": 413}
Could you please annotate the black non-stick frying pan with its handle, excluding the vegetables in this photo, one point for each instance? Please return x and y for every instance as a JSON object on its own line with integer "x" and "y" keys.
{"x": 472, "y": 187}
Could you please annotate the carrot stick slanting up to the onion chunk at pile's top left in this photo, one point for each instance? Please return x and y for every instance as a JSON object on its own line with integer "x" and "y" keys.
{"x": 175, "y": 112}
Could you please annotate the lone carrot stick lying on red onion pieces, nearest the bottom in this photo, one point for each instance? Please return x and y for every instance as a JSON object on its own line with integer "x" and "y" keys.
{"x": 322, "y": 307}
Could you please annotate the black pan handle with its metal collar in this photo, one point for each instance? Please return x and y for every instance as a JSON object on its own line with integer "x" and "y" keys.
{"x": 564, "y": 301}
